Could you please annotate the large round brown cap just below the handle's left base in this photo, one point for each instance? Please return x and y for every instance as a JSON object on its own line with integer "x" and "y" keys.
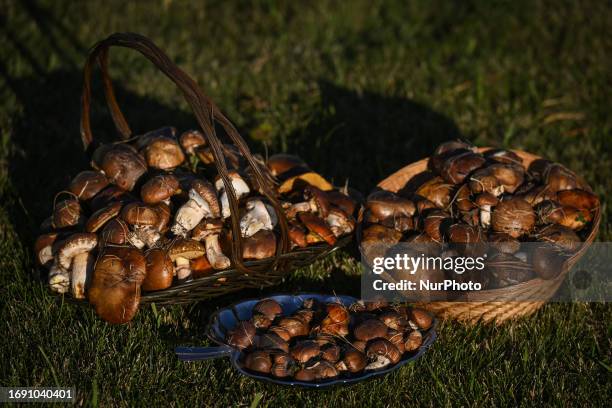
{"x": 123, "y": 166}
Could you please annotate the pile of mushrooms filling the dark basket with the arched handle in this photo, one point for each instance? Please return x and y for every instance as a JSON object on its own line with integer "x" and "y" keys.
{"x": 153, "y": 211}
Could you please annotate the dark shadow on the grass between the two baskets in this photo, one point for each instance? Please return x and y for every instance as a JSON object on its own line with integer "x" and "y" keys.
{"x": 364, "y": 137}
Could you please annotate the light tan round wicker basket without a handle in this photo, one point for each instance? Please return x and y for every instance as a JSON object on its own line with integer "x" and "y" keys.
{"x": 503, "y": 308}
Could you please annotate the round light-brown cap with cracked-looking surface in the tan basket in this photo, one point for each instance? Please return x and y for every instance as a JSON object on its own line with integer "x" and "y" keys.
{"x": 514, "y": 217}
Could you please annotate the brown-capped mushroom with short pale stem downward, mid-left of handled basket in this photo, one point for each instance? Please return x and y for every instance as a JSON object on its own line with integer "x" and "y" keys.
{"x": 143, "y": 219}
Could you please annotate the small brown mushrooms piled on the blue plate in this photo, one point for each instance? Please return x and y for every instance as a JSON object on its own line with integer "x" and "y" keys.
{"x": 324, "y": 341}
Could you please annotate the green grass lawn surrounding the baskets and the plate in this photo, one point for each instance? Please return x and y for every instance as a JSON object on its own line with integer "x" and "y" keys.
{"x": 359, "y": 90}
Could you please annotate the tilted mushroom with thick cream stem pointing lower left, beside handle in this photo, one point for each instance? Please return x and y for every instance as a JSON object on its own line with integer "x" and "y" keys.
{"x": 202, "y": 203}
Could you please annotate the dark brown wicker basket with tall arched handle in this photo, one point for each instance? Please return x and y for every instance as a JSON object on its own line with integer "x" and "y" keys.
{"x": 242, "y": 275}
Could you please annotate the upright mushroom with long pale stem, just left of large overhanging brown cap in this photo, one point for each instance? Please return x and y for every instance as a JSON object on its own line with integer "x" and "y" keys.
{"x": 74, "y": 254}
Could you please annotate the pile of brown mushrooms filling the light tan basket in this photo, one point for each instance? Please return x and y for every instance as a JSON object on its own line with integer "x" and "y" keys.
{"x": 527, "y": 219}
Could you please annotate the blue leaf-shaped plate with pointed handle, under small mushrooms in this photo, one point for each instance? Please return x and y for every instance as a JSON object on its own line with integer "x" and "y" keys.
{"x": 226, "y": 319}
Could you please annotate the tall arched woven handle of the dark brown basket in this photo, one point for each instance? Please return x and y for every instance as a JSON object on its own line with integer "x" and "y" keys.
{"x": 206, "y": 113}
